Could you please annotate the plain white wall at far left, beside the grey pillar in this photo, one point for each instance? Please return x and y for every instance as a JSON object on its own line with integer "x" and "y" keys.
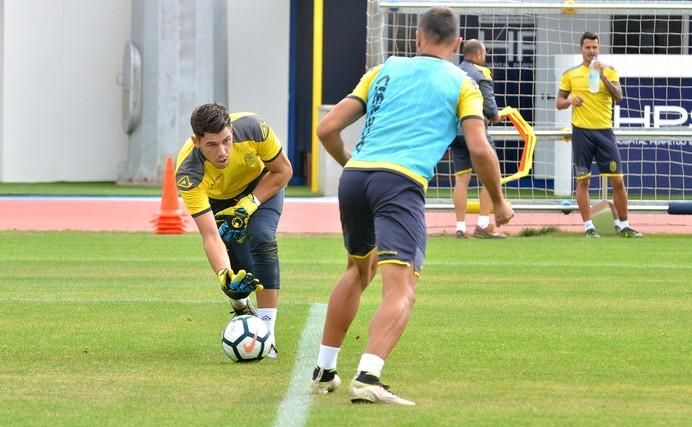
{"x": 61, "y": 101}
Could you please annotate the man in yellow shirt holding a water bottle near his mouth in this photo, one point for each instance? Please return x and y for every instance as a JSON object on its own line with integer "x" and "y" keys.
{"x": 590, "y": 89}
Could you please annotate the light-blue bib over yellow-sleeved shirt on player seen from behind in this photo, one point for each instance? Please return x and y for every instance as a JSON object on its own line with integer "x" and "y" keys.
{"x": 412, "y": 105}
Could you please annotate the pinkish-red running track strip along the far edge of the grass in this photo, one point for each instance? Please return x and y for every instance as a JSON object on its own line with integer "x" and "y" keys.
{"x": 301, "y": 216}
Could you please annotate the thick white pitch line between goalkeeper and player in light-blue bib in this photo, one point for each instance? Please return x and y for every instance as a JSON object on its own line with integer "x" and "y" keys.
{"x": 294, "y": 409}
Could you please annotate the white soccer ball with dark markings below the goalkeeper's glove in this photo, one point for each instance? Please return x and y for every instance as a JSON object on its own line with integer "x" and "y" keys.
{"x": 246, "y": 339}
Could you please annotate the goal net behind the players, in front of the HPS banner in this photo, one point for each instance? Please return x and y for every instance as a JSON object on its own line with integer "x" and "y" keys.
{"x": 529, "y": 45}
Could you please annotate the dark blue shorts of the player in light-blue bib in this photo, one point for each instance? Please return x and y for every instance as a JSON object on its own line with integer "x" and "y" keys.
{"x": 383, "y": 210}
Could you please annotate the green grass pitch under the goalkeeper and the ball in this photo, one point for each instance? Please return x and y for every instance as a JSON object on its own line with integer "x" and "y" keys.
{"x": 124, "y": 329}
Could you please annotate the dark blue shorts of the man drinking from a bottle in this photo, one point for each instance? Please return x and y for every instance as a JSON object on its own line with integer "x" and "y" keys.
{"x": 598, "y": 143}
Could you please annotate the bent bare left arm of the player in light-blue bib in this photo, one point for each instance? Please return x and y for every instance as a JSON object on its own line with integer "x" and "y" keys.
{"x": 347, "y": 111}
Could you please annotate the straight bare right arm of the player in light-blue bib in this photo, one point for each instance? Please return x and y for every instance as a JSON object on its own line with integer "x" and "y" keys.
{"x": 487, "y": 167}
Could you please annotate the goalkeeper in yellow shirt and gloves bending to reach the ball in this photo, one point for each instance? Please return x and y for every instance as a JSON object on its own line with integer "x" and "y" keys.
{"x": 231, "y": 174}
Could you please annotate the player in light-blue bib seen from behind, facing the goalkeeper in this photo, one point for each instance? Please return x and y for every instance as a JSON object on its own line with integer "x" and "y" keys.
{"x": 412, "y": 108}
